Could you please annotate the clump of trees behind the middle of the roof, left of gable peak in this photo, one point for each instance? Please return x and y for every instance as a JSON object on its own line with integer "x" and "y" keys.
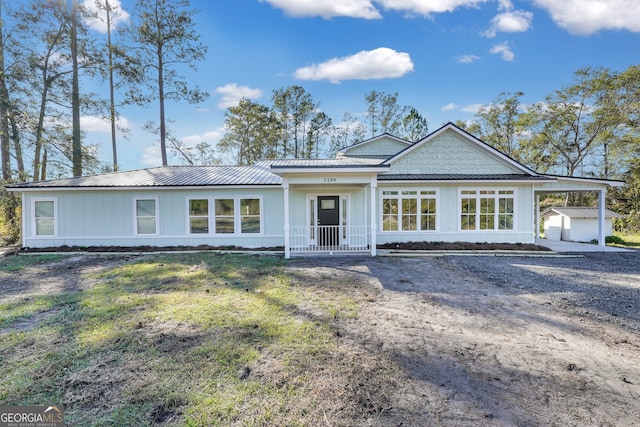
{"x": 293, "y": 126}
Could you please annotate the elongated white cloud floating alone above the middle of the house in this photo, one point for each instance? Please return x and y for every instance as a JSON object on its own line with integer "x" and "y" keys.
{"x": 380, "y": 63}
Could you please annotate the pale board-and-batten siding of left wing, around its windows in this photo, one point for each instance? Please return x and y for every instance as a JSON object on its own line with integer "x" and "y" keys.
{"x": 108, "y": 218}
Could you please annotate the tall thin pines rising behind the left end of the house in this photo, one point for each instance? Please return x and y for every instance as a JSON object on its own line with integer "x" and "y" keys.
{"x": 47, "y": 48}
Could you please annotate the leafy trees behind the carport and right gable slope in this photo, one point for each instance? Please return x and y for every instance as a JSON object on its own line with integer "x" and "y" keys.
{"x": 588, "y": 128}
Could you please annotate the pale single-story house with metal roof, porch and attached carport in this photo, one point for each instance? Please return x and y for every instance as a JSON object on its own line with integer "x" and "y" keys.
{"x": 449, "y": 186}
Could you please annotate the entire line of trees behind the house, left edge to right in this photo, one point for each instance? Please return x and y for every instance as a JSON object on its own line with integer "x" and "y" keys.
{"x": 588, "y": 127}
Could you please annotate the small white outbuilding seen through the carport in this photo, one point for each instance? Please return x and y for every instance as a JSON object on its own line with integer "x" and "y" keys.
{"x": 577, "y": 224}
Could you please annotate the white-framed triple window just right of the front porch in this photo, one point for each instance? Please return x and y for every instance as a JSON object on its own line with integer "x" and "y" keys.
{"x": 409, "y": 210}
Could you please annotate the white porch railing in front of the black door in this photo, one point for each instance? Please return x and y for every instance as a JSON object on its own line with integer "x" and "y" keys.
{"x": 330, "y": 238}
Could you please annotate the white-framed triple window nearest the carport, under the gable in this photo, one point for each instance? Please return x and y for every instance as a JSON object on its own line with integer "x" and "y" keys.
{"x": 486, "y": 209}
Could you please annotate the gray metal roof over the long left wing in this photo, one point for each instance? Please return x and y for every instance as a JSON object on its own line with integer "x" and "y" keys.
{"x": 168, "y": 176}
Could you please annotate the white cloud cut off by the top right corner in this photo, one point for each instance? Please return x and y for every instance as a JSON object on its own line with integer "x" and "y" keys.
{"x": 590, "y": 16}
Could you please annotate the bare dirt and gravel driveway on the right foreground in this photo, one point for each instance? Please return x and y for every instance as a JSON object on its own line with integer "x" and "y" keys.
{"x": 499, "y": 341}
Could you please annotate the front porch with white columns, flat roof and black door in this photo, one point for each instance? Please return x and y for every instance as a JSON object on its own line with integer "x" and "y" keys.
{"x": 329, "y": 205}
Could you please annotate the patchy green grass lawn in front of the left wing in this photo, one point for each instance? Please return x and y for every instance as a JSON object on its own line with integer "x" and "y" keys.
{"x": 167, "y": 339}
